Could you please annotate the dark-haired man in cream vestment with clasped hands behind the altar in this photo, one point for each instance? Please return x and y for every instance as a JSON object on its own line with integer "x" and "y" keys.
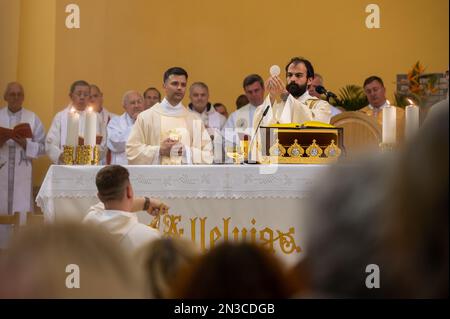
{"x": 168, "y": 133}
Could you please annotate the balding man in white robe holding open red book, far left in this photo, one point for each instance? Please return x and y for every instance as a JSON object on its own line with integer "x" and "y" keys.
{"x": 22, "y": 138}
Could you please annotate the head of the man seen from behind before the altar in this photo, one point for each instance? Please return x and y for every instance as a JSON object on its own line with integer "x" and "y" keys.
{"x": 114, "y": 188}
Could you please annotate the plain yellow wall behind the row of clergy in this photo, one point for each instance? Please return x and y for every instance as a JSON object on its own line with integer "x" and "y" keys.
{"x": 127, "y": 44}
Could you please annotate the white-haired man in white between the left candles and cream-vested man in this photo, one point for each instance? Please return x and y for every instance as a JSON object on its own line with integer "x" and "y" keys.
{"x": 119, "y": 127}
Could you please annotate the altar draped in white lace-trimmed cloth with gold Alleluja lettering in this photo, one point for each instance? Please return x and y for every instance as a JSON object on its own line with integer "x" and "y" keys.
{"x": 208, "y": 203}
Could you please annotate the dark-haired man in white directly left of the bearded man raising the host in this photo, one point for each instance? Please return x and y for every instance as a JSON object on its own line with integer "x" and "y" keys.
{"x": 240, "y": 121}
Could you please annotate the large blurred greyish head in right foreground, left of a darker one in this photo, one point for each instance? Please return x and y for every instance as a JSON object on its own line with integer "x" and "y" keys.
{"x": 342, "y": 229}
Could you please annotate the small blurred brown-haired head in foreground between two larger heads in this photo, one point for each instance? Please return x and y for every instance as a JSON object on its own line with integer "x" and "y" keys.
{"x": 163, "y": 261}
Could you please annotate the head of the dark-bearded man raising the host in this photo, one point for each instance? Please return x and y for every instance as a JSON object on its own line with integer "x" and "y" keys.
{"x": 299, "y": 75}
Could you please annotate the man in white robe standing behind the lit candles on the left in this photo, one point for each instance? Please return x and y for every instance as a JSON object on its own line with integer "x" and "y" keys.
{"x": 57, "y": 135}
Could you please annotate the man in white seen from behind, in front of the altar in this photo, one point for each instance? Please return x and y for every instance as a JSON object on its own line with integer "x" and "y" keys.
{"x": 116, "y": 193}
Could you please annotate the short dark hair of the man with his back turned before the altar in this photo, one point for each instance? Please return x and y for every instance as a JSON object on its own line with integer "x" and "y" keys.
{"x": 111, "y": 181}
